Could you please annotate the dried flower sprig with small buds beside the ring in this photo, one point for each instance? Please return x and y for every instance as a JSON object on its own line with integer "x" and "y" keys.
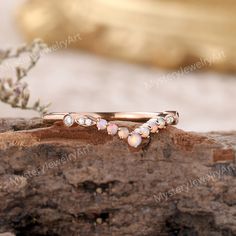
{"x": 14, "y": 91}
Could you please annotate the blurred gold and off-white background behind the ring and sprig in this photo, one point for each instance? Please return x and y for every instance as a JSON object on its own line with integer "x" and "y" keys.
{"x": 108, "y": 55}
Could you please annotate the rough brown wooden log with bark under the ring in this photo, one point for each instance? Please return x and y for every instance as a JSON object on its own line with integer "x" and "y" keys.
{"x": 78, "y": 181}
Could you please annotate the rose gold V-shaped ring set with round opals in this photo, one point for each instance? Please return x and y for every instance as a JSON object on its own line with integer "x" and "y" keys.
{"x": 152, "y": 122}
